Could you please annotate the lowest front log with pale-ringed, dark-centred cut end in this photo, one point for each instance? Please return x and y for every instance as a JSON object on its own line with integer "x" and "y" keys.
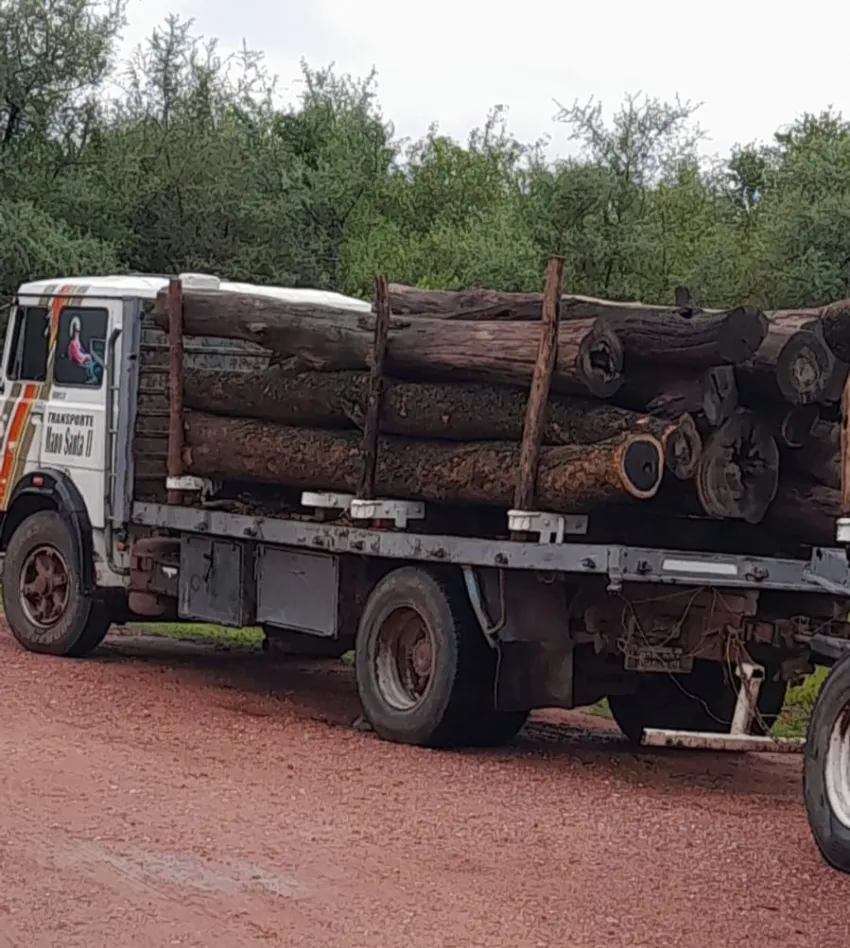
{"x": 574, "y": 478}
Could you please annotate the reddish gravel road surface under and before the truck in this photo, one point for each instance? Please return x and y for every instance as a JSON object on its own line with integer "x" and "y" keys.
{"x": 161, "y": 794}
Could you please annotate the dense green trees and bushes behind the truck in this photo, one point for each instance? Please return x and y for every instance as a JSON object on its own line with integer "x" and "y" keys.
{"x": 181, "y": 160}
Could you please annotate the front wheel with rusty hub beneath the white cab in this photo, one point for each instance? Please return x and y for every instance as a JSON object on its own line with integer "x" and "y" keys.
{"x": 45, "y": 607}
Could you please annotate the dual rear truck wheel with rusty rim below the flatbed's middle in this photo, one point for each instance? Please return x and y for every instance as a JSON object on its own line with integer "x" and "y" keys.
{"x": 424, "y": 670}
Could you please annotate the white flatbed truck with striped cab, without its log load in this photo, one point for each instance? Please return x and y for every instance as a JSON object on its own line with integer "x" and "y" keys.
{"x": 461, "y": 624}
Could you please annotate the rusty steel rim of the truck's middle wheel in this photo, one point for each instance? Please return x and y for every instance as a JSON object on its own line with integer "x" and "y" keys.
{"x": 404, "y": 659}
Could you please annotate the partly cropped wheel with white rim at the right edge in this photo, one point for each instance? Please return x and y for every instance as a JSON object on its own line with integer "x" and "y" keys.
{"x": 826, "y": 768}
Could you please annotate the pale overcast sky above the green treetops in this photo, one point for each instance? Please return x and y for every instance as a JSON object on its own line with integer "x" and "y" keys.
{"x": 753, "y": 64}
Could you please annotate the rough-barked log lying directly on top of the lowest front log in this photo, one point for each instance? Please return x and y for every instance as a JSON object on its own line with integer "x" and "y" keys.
{"x": 451, "y": 411}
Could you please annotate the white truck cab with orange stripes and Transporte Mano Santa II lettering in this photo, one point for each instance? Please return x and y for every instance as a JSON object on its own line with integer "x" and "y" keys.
{"x": 68, "y": 376}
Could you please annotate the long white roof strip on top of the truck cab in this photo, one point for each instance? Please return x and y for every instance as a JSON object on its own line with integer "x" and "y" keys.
{"x": 143, "y": 286}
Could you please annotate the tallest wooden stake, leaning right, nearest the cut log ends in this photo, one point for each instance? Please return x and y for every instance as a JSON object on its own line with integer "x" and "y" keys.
{"x": 538, "y": 396}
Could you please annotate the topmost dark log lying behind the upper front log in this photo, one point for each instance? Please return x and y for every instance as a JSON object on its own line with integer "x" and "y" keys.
{"x": 648, "y": 333}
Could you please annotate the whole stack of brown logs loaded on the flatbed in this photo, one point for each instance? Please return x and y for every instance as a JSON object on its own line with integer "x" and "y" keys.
{"x": 672, "y": 413}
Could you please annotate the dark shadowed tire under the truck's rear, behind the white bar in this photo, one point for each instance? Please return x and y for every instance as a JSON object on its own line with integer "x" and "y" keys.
{"x": 702, "y": 701}
